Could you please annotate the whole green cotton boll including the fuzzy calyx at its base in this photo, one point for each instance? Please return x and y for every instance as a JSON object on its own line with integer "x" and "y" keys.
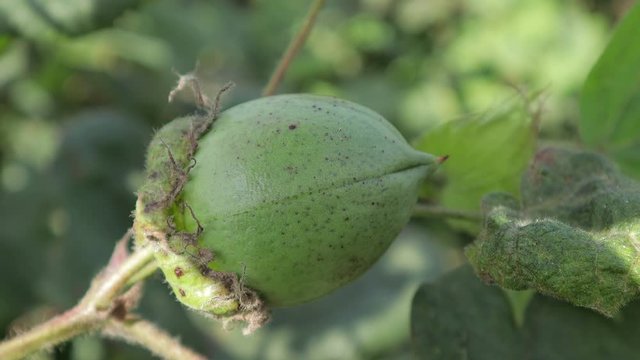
{"x": 283, "y": 200}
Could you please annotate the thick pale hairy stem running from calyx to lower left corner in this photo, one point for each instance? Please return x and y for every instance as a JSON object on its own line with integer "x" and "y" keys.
{"x": 89, "y": 314}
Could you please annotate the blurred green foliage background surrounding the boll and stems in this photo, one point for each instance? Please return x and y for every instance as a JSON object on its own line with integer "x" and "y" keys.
{"x": 83, "y": 83}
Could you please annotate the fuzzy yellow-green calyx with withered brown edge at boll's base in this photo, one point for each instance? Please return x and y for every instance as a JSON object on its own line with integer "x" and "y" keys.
{"x": 183, "y": 262}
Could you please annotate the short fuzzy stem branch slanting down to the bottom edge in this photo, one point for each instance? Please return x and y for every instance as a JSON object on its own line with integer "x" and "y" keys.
{"x": 148, "y": 335}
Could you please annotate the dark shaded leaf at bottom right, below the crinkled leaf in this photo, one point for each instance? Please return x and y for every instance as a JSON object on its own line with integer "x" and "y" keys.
{"x": 458, "y": 317}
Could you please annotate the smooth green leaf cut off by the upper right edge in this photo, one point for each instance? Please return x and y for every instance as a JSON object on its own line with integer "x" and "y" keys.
{"x": 610, "y": 101}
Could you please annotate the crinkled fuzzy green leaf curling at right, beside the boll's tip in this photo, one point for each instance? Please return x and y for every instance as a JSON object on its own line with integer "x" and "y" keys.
{"x": 575, "y": 237}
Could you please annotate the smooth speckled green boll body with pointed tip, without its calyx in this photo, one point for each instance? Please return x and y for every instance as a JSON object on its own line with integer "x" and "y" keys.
{"x": 301, "y": 194}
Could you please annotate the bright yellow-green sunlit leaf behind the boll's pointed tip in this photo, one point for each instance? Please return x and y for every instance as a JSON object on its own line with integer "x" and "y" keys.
{"x": 486, "y": 153}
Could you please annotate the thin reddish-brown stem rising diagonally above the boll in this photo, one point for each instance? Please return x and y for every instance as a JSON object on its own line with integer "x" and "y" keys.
{"x": 294, "y": 47}
